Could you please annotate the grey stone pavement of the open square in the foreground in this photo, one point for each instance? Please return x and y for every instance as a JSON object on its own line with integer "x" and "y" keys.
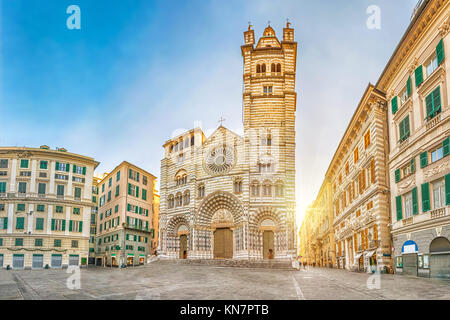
{"x": 163, "y": 280}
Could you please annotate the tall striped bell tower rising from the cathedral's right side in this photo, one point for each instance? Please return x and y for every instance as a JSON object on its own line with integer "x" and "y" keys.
{"x": 269, "y": 105}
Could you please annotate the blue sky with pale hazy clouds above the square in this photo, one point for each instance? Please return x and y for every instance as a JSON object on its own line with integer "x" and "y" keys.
{"x": 140, "y": 71}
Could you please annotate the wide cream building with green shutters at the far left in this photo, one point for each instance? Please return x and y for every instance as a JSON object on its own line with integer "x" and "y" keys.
{"x": 45, "y": 207}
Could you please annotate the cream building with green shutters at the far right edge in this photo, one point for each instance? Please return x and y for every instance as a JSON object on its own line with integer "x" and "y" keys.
{"x": 416, "y": 83}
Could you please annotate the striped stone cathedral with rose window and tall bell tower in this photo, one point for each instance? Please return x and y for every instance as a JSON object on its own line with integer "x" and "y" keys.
{"x": 228, "y": 196}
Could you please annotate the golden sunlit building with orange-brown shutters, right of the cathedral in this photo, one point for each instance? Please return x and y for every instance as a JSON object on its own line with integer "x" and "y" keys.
{"x": 358, "y": 173}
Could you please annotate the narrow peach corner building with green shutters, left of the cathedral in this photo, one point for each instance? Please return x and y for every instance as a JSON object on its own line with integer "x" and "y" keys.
{"x": 125, "y": 229}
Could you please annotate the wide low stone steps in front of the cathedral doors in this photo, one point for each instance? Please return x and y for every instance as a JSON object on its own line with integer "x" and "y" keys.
{"x": 268, "y": 264}
